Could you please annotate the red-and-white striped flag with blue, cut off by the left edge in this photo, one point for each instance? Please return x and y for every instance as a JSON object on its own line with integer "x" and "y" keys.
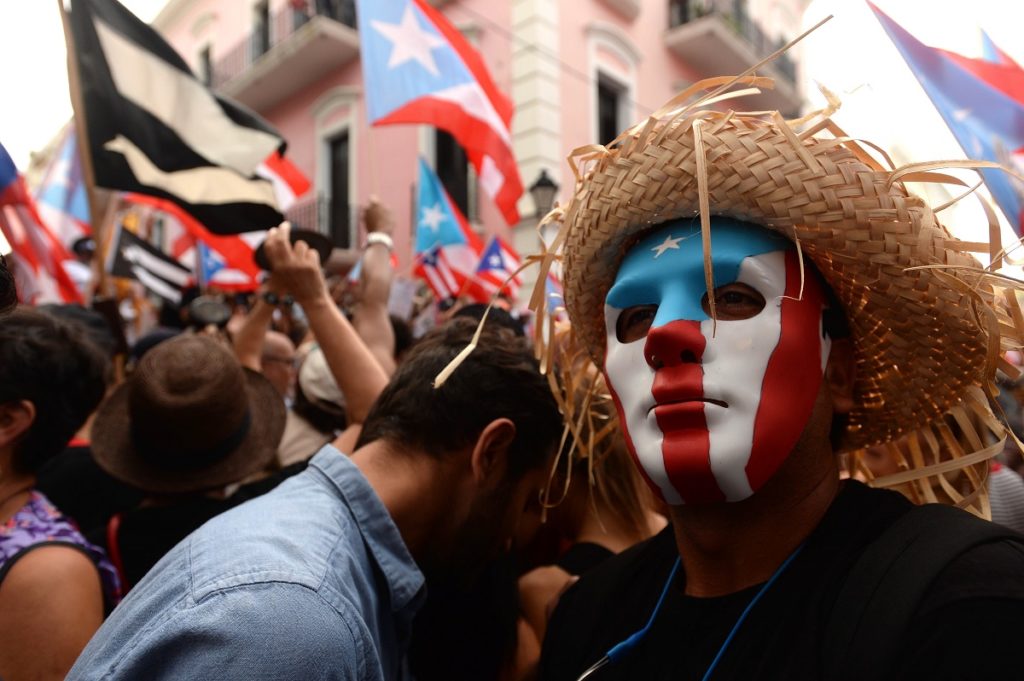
{"x": 37, "y": 254}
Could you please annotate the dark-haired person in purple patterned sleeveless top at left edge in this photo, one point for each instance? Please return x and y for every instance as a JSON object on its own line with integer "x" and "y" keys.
{"x": 55, "y": 586}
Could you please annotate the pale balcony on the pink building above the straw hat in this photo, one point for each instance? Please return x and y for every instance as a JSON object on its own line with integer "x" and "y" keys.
{"x": 719, "y": 38}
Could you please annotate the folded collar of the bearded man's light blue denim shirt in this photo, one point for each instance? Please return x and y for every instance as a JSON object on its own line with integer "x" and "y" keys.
{"x": 379, "y": 532}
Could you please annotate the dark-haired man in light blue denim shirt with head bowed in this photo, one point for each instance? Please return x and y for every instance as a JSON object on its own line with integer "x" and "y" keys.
{"x": 321, "y": 578}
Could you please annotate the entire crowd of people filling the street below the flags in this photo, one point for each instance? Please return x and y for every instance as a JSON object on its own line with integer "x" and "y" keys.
{"x": 760, "y": 321}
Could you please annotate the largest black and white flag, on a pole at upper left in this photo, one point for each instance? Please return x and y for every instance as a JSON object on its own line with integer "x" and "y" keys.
{"x": 154, "y": 129}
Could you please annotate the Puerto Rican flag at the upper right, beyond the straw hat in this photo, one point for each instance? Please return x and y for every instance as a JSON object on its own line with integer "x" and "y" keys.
{"x": 982, "y": 101}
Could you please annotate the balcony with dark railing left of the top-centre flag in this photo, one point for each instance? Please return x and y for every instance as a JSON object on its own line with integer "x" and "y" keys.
{"x": 288, "y": 53}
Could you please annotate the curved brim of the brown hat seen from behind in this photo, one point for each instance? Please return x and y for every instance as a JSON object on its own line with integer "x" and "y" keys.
{"x": 115, "y": 453}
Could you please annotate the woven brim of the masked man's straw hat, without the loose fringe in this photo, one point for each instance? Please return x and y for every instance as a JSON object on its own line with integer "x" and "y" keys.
{"x": 921, "y": 335}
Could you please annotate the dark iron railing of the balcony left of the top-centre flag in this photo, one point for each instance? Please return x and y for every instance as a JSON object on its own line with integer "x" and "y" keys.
{"x": 285, "y": 23}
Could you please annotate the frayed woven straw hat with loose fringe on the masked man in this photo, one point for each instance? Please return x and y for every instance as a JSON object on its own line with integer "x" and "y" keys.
{"x": 927, "y": 321}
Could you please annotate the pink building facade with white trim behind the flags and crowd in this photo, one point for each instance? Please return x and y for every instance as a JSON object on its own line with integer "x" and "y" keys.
{"x": 578, "y": 71}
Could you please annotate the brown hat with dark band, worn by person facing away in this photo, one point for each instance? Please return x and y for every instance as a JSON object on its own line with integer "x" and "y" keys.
{"x": 190, "y": 418}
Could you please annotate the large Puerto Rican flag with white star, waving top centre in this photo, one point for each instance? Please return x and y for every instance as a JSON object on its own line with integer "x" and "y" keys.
{"x": 419, "y": 69}
